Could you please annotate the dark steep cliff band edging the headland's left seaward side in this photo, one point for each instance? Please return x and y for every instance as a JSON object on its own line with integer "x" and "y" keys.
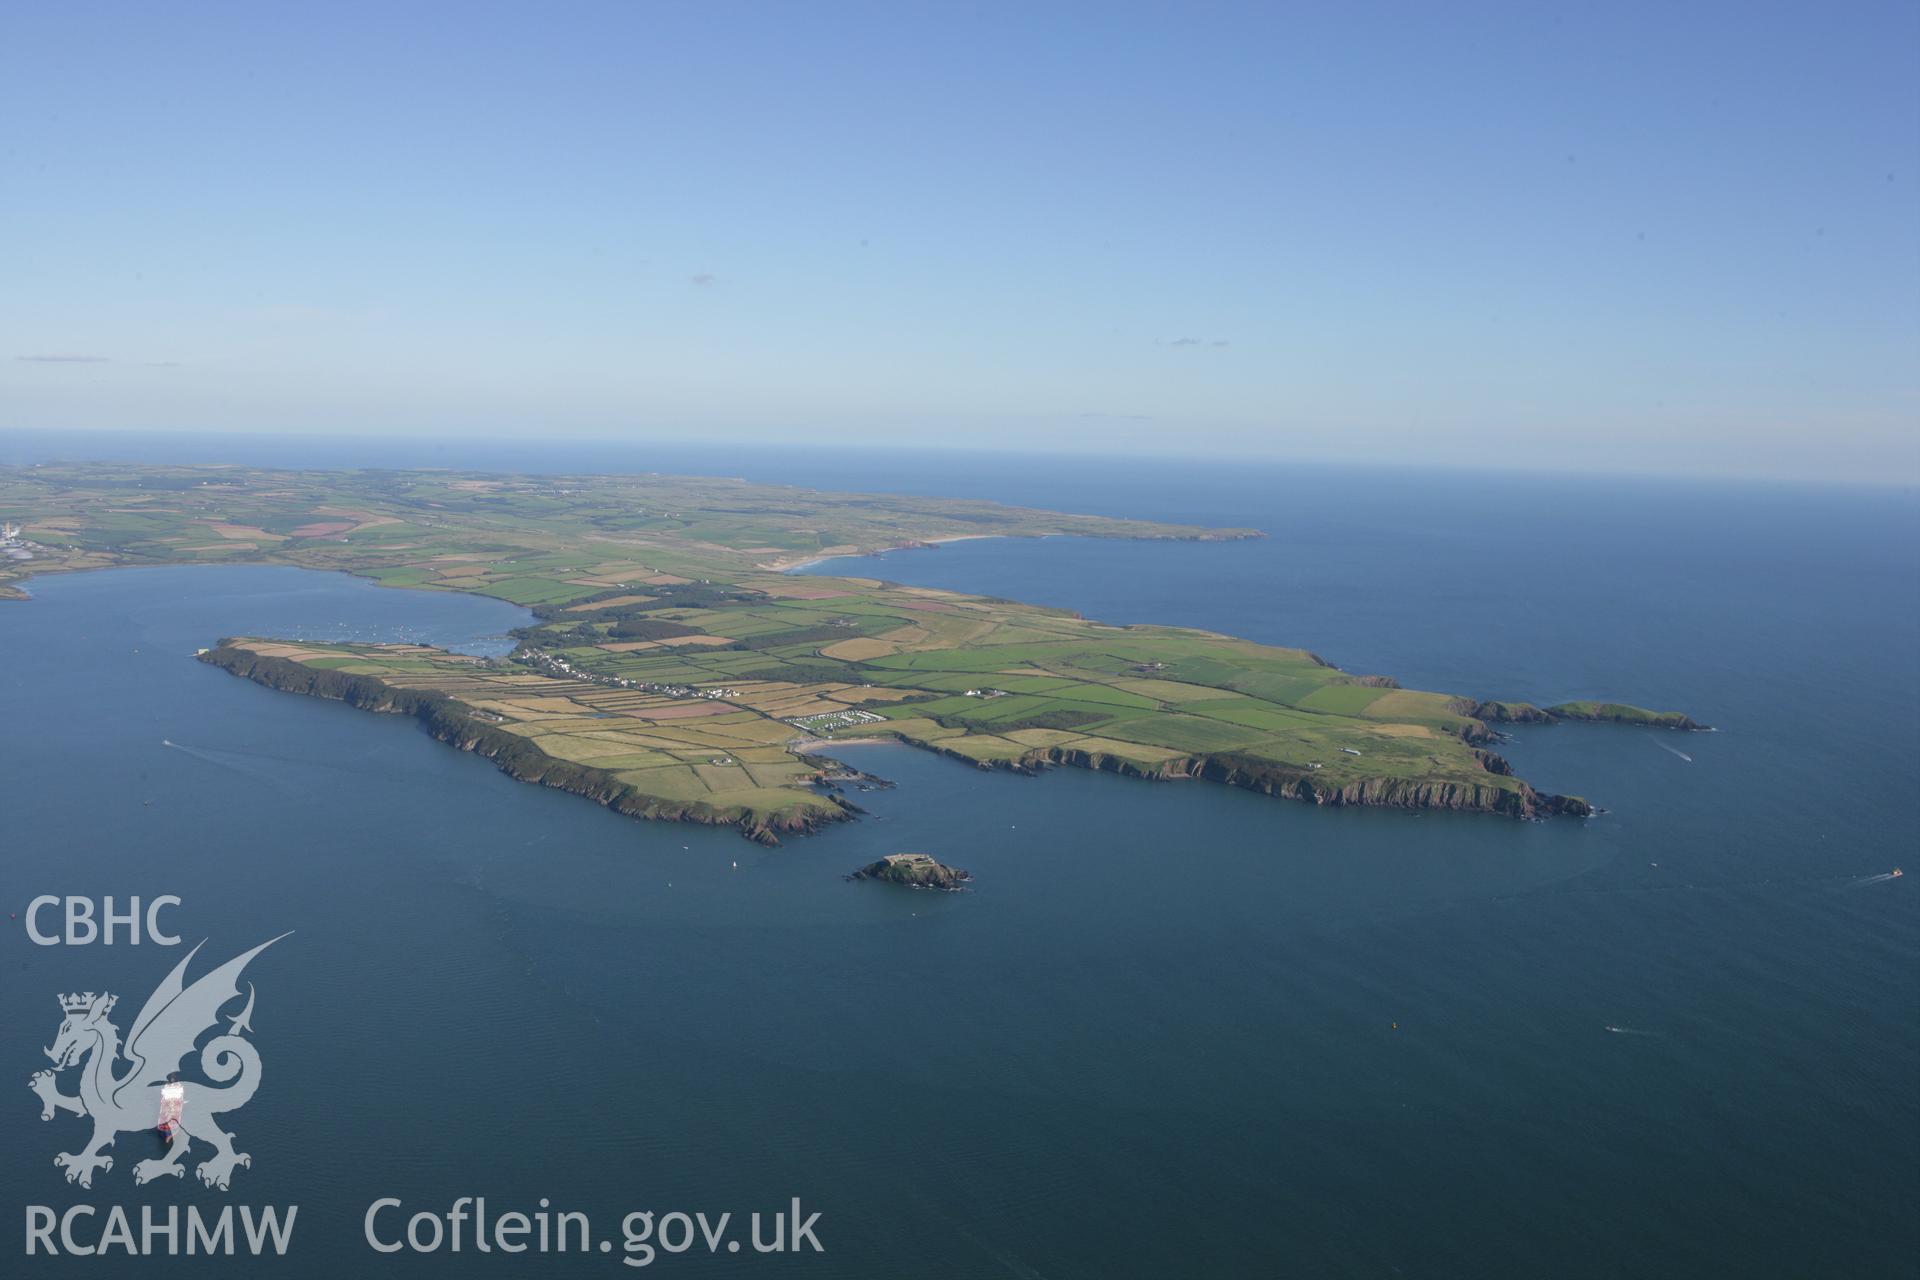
{"x": 454, "y": 724}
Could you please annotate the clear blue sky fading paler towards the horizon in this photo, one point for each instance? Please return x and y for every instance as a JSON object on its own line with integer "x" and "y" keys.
{"x": 1629, "y": 237}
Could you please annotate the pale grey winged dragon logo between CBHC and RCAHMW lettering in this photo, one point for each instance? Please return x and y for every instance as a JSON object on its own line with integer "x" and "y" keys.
{"x": 164, "y": 1035}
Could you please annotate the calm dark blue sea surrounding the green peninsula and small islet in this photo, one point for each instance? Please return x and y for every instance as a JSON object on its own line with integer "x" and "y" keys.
{"x": 1159, "y": 1039}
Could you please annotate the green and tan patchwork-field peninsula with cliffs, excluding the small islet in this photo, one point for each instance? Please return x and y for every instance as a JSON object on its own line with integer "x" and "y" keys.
{"x": 675, "y": 673}
